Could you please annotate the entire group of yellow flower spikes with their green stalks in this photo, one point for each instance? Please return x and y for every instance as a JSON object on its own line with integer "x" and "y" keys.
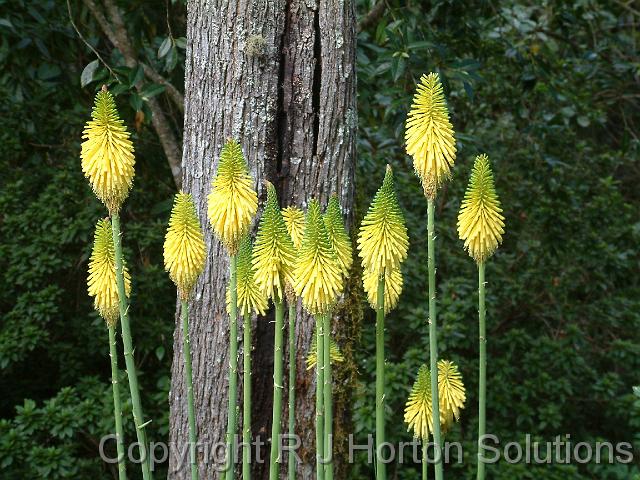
{"x": 296, "y": 256}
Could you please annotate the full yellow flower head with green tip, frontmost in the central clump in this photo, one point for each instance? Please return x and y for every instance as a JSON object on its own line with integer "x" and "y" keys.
{"x": 318, "y": 280}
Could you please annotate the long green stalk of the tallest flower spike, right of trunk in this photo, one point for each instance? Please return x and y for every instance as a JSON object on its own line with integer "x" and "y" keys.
{"x": 433, "y": 341}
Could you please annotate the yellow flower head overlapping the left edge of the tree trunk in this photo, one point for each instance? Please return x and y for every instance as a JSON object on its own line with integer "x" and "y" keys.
{"x": 184, "y": 248}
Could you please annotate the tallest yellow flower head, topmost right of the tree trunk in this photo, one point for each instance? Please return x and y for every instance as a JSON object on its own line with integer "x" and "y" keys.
{"x": 429, "y": 136}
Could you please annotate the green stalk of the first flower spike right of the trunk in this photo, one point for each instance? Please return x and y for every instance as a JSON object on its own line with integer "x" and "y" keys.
{"x": 381, "y": 468}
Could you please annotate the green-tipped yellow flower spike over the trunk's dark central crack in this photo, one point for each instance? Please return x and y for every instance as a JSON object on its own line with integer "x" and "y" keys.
{"x": 273, "y": 251}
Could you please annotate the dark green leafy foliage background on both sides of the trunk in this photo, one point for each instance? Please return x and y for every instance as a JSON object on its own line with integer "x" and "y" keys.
{"x": 548, "y": 89}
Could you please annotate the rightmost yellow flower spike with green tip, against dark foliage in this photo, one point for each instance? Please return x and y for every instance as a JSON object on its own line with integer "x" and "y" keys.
{"x": 480, "y": 222}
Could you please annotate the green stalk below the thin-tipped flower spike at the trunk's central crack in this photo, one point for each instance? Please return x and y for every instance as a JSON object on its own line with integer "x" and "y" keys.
{"x": 276, "y": 425}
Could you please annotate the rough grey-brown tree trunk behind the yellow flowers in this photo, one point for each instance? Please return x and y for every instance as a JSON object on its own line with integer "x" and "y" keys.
{"x": 278, "y": 75}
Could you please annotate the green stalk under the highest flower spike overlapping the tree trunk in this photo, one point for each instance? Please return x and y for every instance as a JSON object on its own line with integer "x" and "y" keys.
{"x": 232, "y": 419}
